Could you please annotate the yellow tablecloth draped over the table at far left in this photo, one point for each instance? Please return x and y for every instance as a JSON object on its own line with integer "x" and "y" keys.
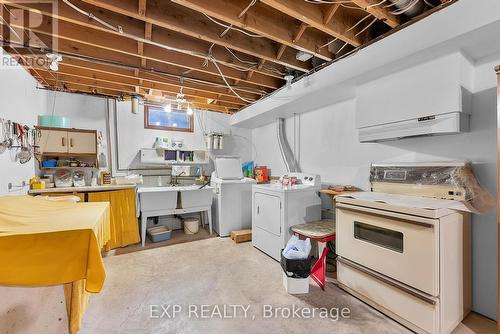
{"x": 49, "y": 243}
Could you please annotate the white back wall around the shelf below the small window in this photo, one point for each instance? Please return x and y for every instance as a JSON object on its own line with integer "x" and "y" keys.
{"x": 132, "y": 136}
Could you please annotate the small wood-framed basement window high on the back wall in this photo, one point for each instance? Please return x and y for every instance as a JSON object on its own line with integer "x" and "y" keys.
{"x": 155, "y": 117}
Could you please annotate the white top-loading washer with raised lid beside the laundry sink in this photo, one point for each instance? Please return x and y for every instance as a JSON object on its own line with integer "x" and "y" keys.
{"x": 232, "y": 203}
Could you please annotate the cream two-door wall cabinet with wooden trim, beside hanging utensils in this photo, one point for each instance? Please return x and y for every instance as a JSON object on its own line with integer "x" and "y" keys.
{"x": 66, "y": 142}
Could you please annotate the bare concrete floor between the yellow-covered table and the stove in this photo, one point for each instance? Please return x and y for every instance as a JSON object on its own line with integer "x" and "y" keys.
{"x": 215, "y": 272}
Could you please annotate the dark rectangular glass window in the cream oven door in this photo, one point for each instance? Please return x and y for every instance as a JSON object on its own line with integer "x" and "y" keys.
{"x": 379, "y": 236}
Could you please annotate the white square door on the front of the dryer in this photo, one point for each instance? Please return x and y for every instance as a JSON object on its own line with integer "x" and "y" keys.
{"x": 267, "y": 213}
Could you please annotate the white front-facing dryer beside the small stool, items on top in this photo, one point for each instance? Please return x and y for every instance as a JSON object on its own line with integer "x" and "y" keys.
{"x": 276, "y": 208}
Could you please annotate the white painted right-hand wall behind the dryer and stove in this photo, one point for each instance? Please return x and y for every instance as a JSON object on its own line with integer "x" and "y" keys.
{"x": 327, "y": 144}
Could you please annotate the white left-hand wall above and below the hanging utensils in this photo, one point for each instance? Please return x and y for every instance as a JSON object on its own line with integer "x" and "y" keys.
{"x": 21, "y": 102}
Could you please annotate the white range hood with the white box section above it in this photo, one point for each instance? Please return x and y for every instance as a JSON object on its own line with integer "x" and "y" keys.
{"x": 426, "y": 100}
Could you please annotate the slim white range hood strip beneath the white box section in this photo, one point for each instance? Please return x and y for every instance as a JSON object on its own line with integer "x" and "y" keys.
{"x": 449, "y": 123}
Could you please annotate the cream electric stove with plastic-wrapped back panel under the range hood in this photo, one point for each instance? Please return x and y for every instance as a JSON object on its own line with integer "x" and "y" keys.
{"x": 407, "y": 256}
